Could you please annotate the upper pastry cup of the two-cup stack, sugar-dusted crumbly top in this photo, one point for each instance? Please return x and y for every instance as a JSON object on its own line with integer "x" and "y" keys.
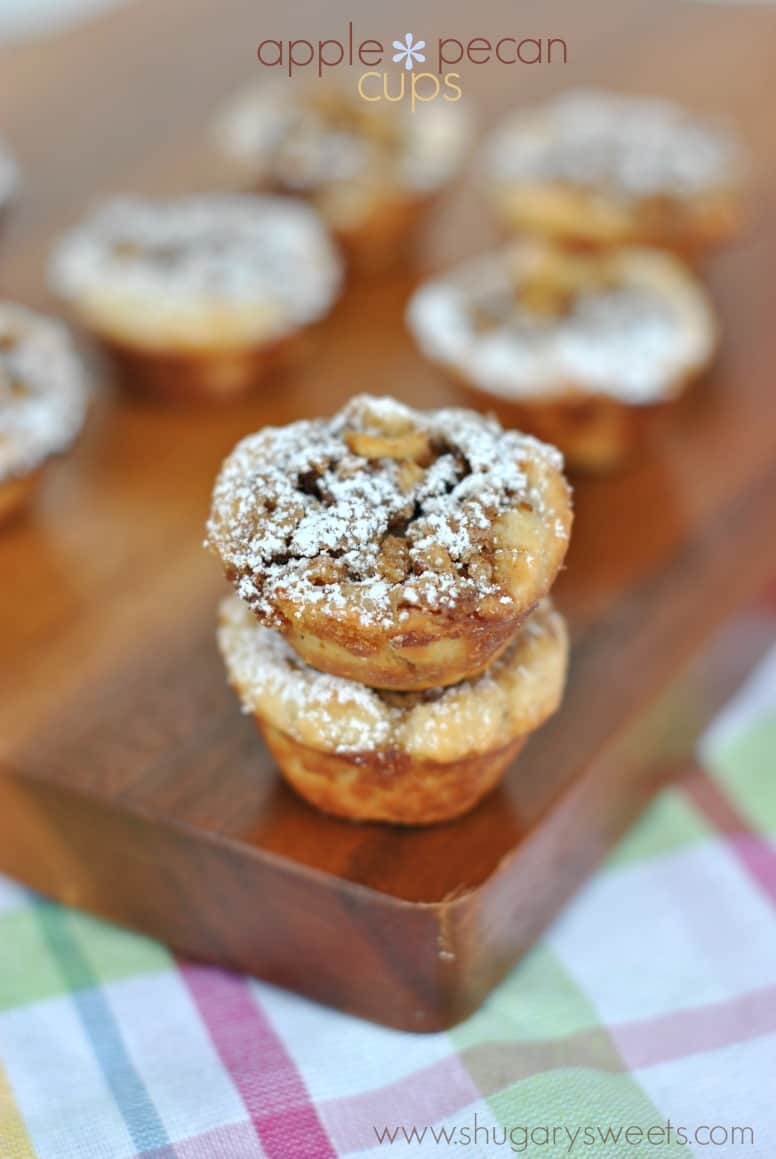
{"x": 396, "y": 548}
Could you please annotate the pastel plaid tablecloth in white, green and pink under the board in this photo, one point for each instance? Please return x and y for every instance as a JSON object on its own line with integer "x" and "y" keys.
{"x": 645, "y": 1025}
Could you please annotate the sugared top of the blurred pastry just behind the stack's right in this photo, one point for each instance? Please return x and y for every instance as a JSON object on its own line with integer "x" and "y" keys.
{"x": 532, "y": 323}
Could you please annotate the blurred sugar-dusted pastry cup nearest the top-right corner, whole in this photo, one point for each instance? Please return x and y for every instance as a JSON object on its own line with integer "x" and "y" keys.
{"x": 599, "y": 170}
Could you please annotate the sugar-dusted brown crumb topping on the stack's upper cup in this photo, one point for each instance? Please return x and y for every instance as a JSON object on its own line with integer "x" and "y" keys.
{"x": 375, "y": 512}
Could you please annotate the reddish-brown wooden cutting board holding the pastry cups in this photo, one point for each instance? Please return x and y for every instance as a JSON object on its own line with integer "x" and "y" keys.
{"x": 130, "y": 784}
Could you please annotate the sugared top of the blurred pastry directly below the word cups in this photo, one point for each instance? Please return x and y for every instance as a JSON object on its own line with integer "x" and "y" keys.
{"x": 306, "y": 141}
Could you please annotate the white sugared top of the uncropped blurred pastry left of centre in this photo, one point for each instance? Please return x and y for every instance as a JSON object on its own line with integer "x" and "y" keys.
{"x": 213, "y": 253}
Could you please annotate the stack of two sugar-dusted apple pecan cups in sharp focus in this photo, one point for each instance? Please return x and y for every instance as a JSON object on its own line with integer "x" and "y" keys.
{"x": 392, "y": 635}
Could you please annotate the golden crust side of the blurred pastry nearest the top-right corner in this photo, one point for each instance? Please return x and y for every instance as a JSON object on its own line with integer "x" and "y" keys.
{"x": 591, "y": 221}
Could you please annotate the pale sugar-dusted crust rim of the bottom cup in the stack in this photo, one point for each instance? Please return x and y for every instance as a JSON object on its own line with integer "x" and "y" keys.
{"x": 515, "y": 695}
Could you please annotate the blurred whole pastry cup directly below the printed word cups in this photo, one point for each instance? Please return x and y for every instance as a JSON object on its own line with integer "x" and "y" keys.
{"x": 370, "y": 169}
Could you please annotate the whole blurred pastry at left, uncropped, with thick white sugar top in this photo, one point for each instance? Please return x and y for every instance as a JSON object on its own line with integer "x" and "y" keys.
{"x": 200, "y": 297}
